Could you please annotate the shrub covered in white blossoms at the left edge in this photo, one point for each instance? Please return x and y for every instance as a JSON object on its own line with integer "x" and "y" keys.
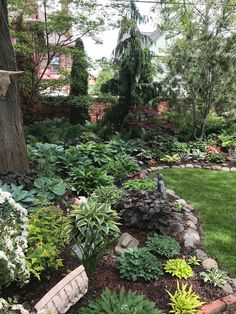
{"x": 13, "y": 241}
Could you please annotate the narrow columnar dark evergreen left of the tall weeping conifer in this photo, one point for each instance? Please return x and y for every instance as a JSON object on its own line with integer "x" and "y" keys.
{"x": 79, "y": 85}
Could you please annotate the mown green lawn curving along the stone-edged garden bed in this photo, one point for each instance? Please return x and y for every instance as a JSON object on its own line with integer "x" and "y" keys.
{"x": 213, "y": 194}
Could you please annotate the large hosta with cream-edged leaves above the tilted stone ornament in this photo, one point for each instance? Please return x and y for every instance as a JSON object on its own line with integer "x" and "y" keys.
{"x": 94, "y": 227}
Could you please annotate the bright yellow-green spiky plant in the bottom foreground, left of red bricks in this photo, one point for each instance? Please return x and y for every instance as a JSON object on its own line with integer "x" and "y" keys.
{"x": 184, "y": 300}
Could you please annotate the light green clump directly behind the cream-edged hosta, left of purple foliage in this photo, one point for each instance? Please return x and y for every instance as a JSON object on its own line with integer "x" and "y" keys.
{"x": 107, "y": 195}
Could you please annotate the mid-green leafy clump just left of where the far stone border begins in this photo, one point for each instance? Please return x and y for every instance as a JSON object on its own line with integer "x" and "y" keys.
{"x": 120, "y": 167}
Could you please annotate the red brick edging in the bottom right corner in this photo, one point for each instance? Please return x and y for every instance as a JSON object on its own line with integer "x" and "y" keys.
{"x": 221, "y": 305}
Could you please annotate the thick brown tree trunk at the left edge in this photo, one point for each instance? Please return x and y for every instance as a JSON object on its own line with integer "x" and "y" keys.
{"x": 13, "y": 153}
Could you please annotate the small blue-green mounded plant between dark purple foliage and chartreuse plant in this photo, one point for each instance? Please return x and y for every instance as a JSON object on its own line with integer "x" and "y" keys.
{"x": 163, "y": 245}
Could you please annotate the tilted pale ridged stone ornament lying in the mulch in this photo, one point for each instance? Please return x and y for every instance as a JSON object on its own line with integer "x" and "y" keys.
{"x": 66, "y": 293}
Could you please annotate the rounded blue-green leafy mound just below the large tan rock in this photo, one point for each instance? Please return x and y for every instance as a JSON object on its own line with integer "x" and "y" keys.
{"x": 139, "y": 264}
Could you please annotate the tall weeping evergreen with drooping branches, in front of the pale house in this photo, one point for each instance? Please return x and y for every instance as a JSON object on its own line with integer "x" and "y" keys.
{"x": 134, "y": 62}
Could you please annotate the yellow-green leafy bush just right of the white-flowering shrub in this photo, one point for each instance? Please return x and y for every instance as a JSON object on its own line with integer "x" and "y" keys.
{"x": 46, "y": 239}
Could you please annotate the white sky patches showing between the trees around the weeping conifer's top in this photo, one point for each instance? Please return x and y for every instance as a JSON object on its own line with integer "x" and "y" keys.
{"x": 96, "y": 51}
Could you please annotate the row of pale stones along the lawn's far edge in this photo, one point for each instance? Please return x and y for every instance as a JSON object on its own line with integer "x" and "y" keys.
{"x": 193, "y": 165}
